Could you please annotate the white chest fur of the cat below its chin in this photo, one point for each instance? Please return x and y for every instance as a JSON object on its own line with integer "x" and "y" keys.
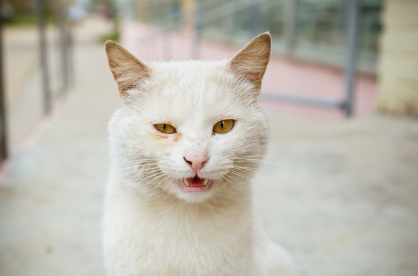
{"x": 176, "y": 239}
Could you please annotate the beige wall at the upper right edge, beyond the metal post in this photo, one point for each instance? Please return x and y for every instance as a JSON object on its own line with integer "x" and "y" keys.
{"x": 398, "y": 65}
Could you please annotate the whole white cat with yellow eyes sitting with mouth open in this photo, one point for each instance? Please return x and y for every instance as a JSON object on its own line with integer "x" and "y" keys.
{"x": 183, "y": 147}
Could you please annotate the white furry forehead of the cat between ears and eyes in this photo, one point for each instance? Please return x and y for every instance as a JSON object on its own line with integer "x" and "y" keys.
{"x": 197, "y": 89}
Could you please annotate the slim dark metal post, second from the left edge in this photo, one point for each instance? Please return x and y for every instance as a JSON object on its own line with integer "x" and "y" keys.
{"x": 40, "y": 10}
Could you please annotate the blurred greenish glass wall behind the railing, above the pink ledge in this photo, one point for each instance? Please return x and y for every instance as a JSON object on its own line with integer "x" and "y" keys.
{"x": 311, "y": 30}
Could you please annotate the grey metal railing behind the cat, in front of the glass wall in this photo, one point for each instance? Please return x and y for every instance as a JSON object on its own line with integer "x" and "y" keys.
{"x": 213, "y": 13}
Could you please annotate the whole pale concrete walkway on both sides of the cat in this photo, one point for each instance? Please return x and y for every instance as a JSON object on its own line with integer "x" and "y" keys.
{"x": 341, "y": 196}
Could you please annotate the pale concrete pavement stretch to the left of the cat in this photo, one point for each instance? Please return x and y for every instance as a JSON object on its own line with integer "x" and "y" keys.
{"x": 51, "y": 199}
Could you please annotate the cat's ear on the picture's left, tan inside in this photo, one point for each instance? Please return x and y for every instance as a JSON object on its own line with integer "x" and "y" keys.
{"x": 127, "y": 70}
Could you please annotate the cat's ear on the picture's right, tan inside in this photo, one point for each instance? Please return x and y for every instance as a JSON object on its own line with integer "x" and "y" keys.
{"x": 251, "y": 62}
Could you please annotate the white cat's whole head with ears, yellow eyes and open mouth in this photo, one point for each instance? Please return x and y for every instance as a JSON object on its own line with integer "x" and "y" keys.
{"x": 192, "y": 130}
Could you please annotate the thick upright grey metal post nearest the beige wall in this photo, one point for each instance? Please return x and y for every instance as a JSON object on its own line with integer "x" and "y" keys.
{"x": 352, "y": 14}
